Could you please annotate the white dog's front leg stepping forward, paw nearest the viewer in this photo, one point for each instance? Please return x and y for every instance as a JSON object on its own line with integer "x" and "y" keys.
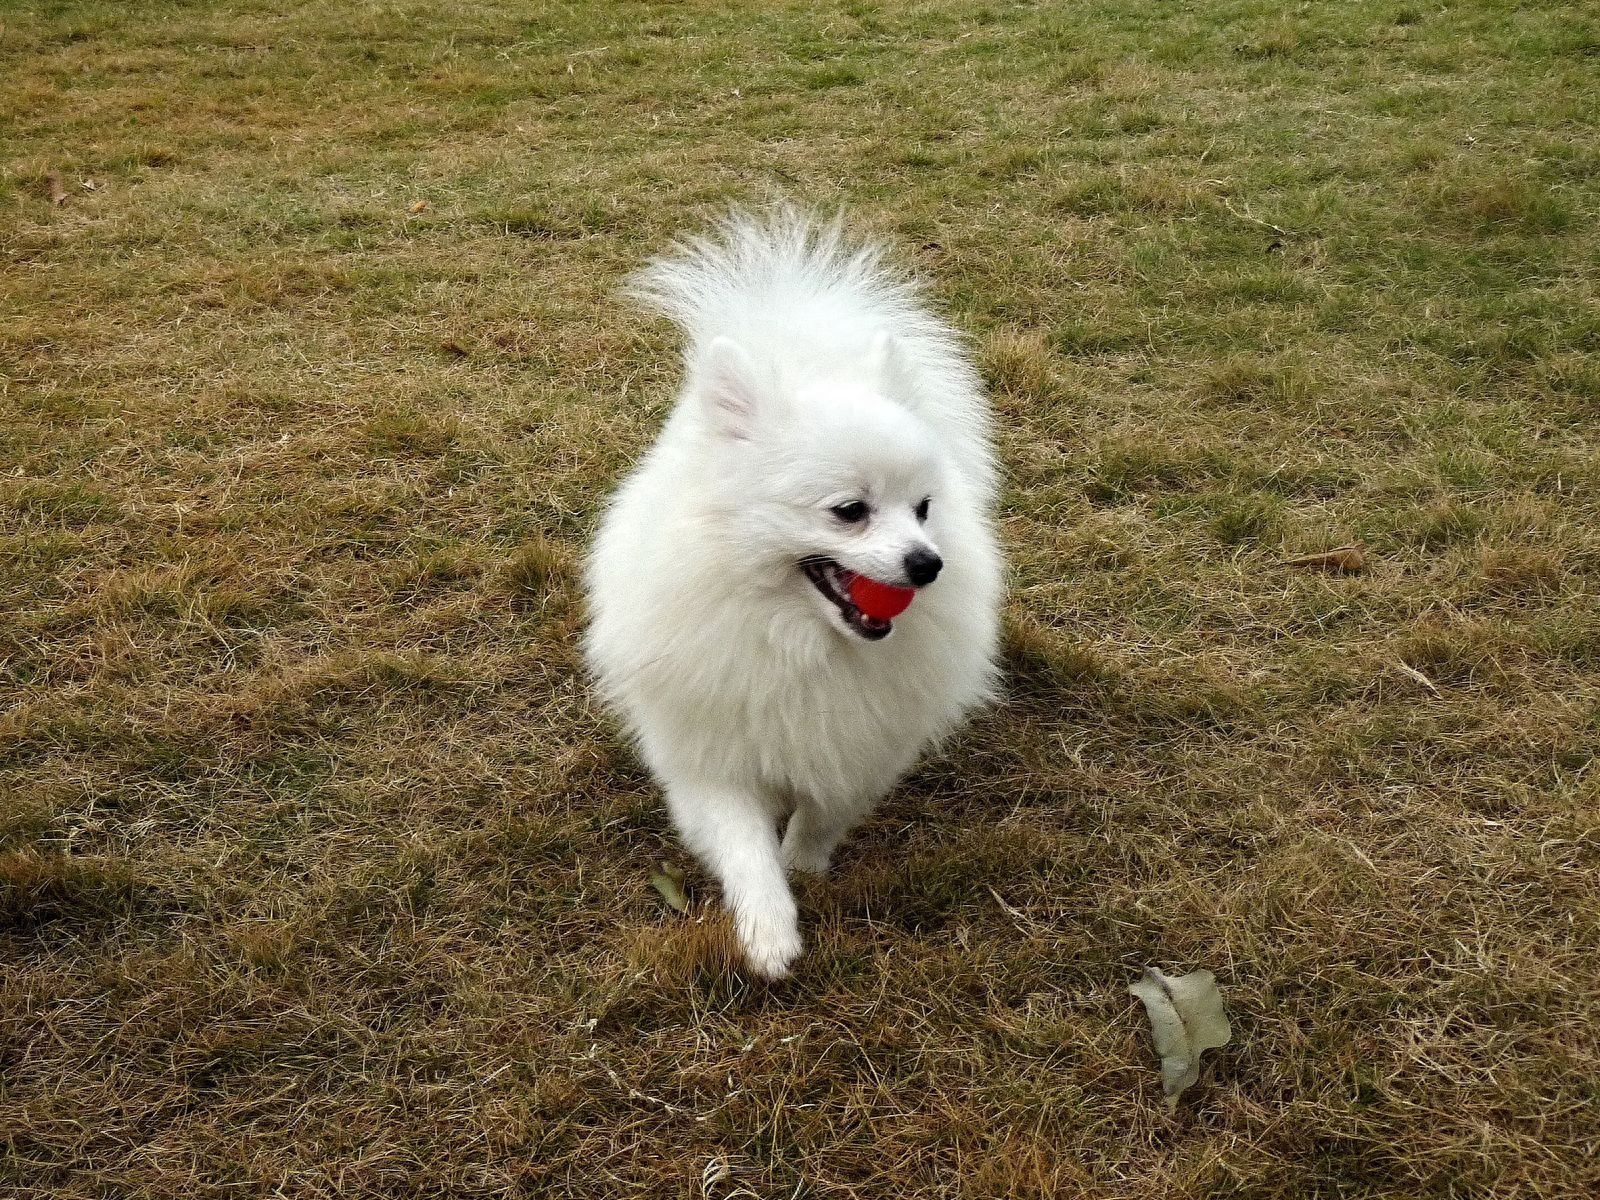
{"x": 737, "y": 838}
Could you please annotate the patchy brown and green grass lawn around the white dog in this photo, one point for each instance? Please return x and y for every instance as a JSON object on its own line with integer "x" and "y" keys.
{"x": 321, "y": 873}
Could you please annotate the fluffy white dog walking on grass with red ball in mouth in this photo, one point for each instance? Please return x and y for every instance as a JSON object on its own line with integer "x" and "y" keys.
{"x": 753, "y": 617}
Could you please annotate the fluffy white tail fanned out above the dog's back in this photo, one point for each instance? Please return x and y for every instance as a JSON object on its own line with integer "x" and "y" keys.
{"x": 758, "y": 265}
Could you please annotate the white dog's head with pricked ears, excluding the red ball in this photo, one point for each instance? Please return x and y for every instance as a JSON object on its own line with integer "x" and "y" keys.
{"x": 825, "y": 482}
